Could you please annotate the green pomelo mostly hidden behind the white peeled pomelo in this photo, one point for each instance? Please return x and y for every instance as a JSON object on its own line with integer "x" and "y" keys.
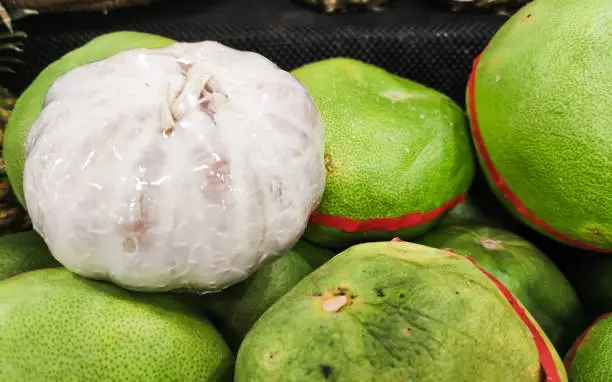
{"x": 31, "y": 102}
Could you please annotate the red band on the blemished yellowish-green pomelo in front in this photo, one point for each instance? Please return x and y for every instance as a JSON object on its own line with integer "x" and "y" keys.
{"x": 546, "y": 358}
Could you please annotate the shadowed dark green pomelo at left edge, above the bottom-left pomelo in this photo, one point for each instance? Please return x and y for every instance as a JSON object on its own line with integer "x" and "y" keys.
{"x": 22, "y": 252}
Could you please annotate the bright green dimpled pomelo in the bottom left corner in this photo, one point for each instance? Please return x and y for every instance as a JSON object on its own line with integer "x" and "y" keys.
{"x": 56, "y": 326}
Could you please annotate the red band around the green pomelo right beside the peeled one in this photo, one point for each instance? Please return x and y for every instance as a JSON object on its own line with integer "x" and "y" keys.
{"x": 383, "y": 224}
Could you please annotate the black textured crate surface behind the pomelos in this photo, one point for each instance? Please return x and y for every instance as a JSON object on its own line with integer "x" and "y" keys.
{"x": 413, "y": 38}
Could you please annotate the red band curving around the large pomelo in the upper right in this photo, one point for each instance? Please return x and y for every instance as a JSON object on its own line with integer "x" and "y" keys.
{"x": 499, "y": 182}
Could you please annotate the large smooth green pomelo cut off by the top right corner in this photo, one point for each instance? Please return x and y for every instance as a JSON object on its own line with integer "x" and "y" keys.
{"x": 543, "y": 96}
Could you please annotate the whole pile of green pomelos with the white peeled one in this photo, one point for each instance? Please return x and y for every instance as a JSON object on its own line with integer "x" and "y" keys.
{"x": 200, "y": 214}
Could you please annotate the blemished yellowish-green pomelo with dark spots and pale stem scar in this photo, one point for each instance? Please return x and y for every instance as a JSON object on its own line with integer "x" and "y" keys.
{"x": 392, "y": 311}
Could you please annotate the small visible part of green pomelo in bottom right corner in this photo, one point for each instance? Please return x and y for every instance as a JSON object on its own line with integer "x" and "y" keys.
{"x": 589, "y": 359}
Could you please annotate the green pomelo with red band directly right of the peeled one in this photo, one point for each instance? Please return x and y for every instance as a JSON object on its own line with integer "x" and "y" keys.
{"x": 393, "y": 148}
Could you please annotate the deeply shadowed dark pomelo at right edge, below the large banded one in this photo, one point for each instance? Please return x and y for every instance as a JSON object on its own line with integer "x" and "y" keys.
{"x": 593, "y": 281}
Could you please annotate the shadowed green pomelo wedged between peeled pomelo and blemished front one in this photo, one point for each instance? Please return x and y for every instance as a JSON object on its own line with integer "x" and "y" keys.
{"x": 237, "y": 308}
